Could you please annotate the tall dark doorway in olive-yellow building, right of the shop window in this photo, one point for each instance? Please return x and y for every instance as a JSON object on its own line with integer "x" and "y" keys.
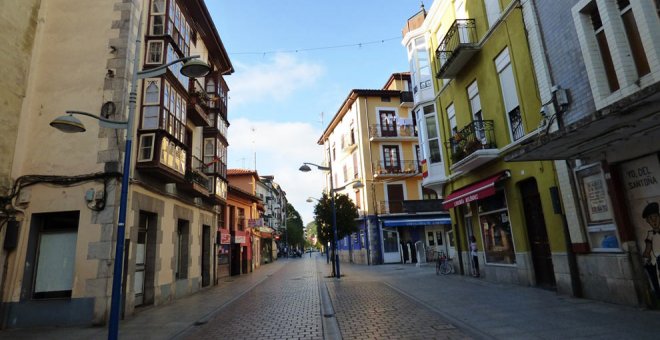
{"x": 537, "y": 234}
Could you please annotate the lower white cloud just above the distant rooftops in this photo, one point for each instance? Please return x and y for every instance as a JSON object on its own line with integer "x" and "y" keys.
{"x": 281, "y": 148}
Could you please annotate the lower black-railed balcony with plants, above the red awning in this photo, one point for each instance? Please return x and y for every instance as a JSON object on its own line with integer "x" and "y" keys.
{"x": 473, "y": 146}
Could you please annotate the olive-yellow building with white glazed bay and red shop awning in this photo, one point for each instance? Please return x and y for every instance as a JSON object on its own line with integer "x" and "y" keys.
{"x": 476, "y": 98}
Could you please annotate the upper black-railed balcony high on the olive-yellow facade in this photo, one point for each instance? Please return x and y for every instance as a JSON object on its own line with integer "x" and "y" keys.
{"x": 457, "y": 48}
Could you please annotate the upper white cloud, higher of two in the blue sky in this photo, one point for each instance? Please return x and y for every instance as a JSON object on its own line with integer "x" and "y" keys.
{"x": 275, "y": 79}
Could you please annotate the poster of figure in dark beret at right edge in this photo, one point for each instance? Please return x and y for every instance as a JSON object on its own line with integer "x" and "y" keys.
{"x": 641, "y": 179}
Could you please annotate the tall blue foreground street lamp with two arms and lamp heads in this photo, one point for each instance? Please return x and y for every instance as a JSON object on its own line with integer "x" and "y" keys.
{"x": 192, "y": 68}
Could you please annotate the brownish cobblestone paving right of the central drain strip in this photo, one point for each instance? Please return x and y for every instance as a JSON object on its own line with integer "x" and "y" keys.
{"x": 373, "y": 310}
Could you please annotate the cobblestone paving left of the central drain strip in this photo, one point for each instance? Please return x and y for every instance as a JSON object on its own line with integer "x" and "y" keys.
{"x": 286, "y": 306}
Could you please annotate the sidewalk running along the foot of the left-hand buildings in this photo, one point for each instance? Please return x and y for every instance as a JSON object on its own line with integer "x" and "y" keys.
{"x": 167, "y": 321}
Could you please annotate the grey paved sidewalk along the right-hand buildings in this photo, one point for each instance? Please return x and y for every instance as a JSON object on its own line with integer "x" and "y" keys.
{"x": 492, "y": 310}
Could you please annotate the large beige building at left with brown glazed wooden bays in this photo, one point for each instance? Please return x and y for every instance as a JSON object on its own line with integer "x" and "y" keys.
{"x": 61, "y": 195}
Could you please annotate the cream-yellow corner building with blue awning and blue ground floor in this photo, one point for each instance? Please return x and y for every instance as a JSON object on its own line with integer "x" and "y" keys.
{"x": 373, "y": 139}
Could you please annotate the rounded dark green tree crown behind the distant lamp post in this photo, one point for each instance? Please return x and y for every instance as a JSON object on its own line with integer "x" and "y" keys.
{"x": 346, "y": 214}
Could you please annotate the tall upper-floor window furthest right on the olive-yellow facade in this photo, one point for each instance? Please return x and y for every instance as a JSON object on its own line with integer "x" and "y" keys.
{"x": 510, "y": 95}
